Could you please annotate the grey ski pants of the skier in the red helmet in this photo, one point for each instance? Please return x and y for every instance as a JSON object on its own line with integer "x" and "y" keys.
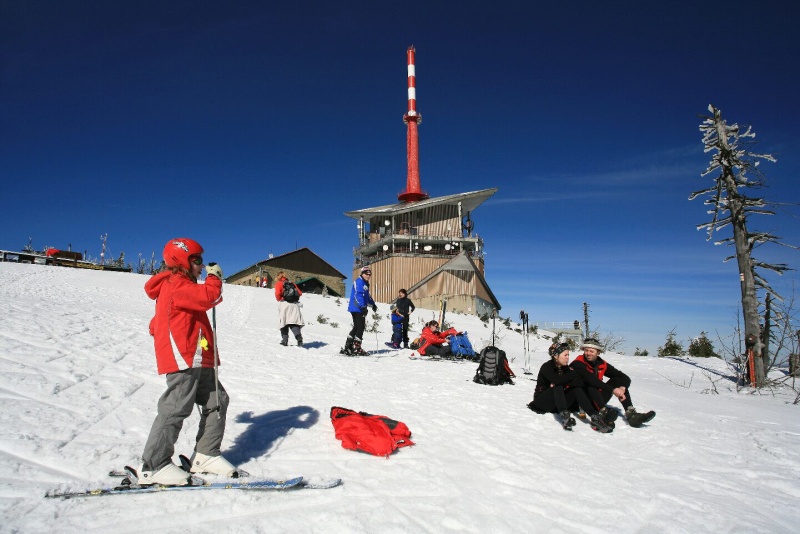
{"x": 185, "y": 389}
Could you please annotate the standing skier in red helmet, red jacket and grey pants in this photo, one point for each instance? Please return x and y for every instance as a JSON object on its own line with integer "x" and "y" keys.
{"x": 185, "y": 354}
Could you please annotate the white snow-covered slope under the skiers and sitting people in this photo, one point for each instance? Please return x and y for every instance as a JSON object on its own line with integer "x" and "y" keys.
{"x": 78, "y": 392}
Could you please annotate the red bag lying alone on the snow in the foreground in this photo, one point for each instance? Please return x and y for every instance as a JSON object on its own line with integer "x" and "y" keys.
{"x": 373, "y": 434}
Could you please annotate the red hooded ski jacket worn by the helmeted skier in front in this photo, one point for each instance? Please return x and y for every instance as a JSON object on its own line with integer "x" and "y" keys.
{"x": 181, "y": 332}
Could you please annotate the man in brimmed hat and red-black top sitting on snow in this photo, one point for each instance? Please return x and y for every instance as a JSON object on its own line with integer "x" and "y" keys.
{"x": 593, "y": 369}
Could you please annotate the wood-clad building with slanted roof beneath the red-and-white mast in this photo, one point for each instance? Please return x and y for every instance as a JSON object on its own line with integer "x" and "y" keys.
{"x": 427, "y": 247}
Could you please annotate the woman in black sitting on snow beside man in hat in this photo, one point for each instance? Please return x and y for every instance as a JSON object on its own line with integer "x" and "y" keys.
{"x": 559, "y": 387}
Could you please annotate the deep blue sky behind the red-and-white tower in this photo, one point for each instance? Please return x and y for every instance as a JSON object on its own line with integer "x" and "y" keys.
{"x": 253, "y": 126}
